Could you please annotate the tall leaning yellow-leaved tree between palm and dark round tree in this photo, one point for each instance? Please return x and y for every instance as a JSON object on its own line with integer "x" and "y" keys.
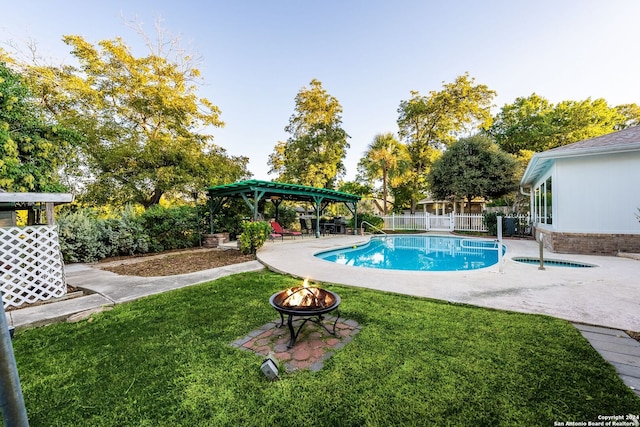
{"x": 429, "y": 123}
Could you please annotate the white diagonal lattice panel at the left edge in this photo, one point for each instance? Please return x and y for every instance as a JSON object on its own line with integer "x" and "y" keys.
{"x": 31, "y": 267}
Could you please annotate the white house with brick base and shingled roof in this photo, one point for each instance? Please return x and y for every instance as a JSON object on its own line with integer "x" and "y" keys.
{"x": 585, "y": 196}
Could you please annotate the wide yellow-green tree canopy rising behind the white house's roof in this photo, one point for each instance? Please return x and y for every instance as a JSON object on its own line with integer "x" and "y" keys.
{"x": 535, "y": 124}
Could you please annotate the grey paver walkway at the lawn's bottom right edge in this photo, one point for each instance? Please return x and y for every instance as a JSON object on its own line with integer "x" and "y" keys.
{"x": 617, "y": 348}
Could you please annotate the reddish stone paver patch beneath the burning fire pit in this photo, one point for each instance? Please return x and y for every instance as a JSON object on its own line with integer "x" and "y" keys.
{"x": 313, "y": 346}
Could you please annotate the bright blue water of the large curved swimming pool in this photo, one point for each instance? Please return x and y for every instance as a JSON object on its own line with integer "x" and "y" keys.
{"x": 418, "y": 253}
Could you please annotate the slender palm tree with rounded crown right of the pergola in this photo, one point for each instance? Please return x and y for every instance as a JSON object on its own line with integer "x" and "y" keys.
{"x": 385, "y": 161}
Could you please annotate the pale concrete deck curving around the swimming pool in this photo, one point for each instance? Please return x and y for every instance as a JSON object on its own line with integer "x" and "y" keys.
{"x": 607, "y": 295}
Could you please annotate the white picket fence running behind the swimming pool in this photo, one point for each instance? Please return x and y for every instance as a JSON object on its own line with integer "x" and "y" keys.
{"x": 429, "y": 222}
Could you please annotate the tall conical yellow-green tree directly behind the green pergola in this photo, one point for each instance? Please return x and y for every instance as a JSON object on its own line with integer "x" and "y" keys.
{"x": 313, "y": 155}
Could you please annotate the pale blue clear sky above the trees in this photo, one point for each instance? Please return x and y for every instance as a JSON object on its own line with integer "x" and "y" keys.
{"x": 369, "y": 55}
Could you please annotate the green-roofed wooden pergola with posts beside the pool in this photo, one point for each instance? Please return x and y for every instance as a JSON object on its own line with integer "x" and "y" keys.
{"x": 253, "y": 191}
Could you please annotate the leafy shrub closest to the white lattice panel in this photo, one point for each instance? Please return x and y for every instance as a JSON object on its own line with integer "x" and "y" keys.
{"x": 81, "y": 236}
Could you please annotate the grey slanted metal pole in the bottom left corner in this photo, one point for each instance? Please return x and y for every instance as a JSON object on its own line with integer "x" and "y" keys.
{"x": 14, "y": 412}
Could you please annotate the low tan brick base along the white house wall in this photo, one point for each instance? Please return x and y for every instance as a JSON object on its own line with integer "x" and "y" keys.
{"x": 590, "y": 244}
